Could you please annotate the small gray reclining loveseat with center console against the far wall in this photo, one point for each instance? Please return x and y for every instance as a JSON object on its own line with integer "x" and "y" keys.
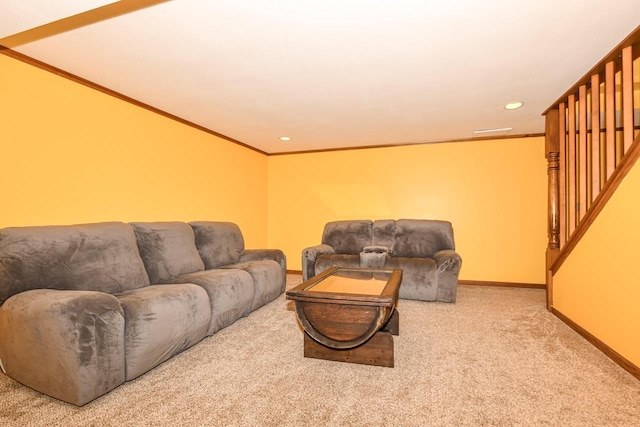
{"x": 423, "y": 249}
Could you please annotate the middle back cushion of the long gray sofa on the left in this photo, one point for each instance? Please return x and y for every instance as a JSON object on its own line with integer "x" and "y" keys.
{"x": 168, "y": 249}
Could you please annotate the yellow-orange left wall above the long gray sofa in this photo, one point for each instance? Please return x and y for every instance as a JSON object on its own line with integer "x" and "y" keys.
{"x": 70, "y": 154}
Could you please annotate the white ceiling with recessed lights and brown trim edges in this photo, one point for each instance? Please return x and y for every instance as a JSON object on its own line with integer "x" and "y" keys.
{"x": 333, "y": 73}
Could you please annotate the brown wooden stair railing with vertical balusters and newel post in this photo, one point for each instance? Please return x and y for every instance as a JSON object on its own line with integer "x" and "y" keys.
{"x": 592, "y": 140}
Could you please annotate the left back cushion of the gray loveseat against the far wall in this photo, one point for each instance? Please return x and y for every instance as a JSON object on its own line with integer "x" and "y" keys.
{"x": 347, "y": 237}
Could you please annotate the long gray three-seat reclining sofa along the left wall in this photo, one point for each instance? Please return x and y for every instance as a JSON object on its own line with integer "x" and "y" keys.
{"x": 85, "y": 308}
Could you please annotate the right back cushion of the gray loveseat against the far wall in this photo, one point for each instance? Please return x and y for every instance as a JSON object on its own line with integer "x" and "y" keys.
{"x": 420, "y": 238}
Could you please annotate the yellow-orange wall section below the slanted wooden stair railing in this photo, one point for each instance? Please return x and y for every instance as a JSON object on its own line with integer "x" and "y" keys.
{"x": 598, "y": 286}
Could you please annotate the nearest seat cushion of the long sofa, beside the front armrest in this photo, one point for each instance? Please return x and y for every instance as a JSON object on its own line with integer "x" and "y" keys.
{"x": 160, "y": 322}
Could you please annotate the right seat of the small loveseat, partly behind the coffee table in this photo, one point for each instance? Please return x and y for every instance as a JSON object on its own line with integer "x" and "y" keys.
{"x": 419, "y": 277}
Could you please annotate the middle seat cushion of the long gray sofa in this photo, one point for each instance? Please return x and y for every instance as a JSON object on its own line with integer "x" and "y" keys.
{"x": 230, "y": 294}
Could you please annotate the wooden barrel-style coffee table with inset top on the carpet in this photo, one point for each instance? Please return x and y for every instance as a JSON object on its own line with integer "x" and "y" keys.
{"x": 349, "y": 314}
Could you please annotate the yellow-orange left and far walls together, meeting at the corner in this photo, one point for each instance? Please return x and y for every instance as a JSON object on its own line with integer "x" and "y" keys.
{"x": 71, "y": 154}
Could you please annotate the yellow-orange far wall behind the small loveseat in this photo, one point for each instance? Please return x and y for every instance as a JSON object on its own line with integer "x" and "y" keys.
{"x": 494, "y": 193}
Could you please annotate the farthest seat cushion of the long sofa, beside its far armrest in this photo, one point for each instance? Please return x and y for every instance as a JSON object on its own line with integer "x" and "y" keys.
{"x": 267, "y": 280}
